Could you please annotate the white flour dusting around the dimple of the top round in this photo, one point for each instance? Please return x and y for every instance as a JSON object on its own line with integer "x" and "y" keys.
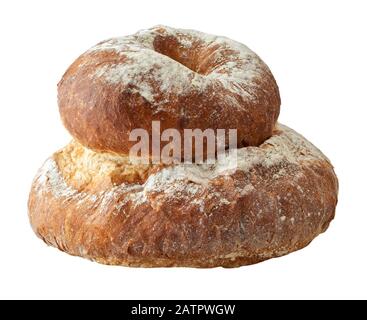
{"x": 236, "y": 66}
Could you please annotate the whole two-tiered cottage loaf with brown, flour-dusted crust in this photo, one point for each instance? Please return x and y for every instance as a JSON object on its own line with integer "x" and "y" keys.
{"x": 265, "y": 201}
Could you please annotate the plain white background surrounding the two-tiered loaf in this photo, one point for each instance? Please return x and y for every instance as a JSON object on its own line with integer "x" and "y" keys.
{"x": 317, "y": 51}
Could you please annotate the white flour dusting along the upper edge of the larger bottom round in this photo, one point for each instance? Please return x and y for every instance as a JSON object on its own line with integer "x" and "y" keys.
{"x": 188, "y": 180}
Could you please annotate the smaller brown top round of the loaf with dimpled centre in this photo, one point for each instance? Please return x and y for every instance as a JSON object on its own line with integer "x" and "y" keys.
{"x": 183, "y": 78}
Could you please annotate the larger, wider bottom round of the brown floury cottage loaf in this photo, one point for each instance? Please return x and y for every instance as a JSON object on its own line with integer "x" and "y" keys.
{"x": 273, "y": 200}
